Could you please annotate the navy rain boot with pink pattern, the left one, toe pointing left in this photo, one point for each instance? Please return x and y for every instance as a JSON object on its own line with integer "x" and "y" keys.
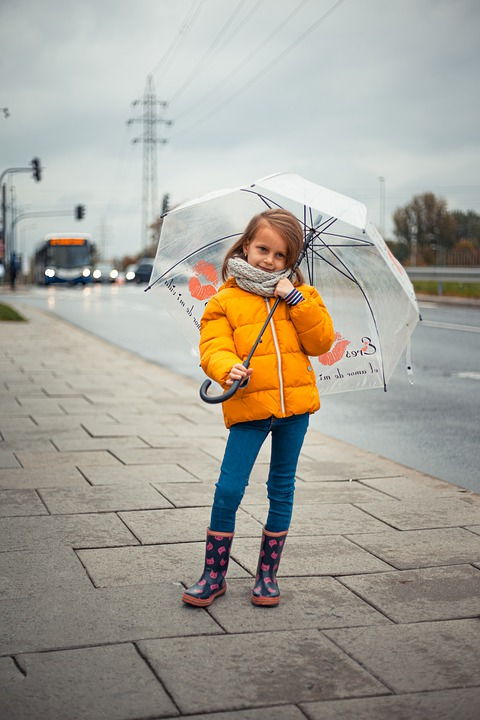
{"x": 212, "y": 583}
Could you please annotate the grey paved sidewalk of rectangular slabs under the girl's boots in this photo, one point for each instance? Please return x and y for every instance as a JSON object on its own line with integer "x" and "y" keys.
{"x": 107, "y": 464}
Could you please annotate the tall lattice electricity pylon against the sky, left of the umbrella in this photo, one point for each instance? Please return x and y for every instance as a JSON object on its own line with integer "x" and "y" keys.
{"x": 149, "y": 119}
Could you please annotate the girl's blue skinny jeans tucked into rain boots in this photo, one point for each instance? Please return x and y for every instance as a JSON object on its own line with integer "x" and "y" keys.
{"x": 243, "y": 445}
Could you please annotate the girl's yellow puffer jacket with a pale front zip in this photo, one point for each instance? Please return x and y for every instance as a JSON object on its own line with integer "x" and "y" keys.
{"x": 283, "y": 381}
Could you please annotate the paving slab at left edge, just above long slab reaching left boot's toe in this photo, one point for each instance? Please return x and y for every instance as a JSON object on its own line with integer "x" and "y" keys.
{"x": 31, "y": 572}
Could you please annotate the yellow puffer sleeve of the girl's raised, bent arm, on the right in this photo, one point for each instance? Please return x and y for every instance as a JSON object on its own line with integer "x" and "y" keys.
{"x": 313, "y": 323}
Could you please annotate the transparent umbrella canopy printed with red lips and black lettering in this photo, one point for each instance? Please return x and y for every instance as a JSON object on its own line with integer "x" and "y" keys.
{"x": 367, "y": 291}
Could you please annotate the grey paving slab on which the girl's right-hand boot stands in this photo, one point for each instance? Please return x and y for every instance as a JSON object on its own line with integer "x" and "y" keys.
{"x": 306, "y": 602}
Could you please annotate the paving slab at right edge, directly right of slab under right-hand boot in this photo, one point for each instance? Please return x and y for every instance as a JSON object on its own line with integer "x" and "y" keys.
{"x": 406, "y": 596}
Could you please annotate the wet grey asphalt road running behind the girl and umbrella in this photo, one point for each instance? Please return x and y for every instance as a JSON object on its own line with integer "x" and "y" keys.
{"x": 432, "y": 425}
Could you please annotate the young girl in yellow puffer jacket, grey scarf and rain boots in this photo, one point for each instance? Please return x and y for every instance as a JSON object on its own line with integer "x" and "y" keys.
{"x": 277, "y": 394}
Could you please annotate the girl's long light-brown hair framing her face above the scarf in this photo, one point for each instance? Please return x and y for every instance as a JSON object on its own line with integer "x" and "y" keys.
{"x": 286, "y": 225}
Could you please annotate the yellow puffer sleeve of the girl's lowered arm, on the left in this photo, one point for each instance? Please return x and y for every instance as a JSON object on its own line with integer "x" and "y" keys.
{"x": 218, "y": 353}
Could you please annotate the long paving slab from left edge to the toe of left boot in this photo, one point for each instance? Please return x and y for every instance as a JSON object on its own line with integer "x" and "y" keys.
{"x": 59, "y": 618}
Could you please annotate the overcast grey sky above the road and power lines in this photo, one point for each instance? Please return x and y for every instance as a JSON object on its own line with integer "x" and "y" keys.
{"x": 377, "y": 88}
